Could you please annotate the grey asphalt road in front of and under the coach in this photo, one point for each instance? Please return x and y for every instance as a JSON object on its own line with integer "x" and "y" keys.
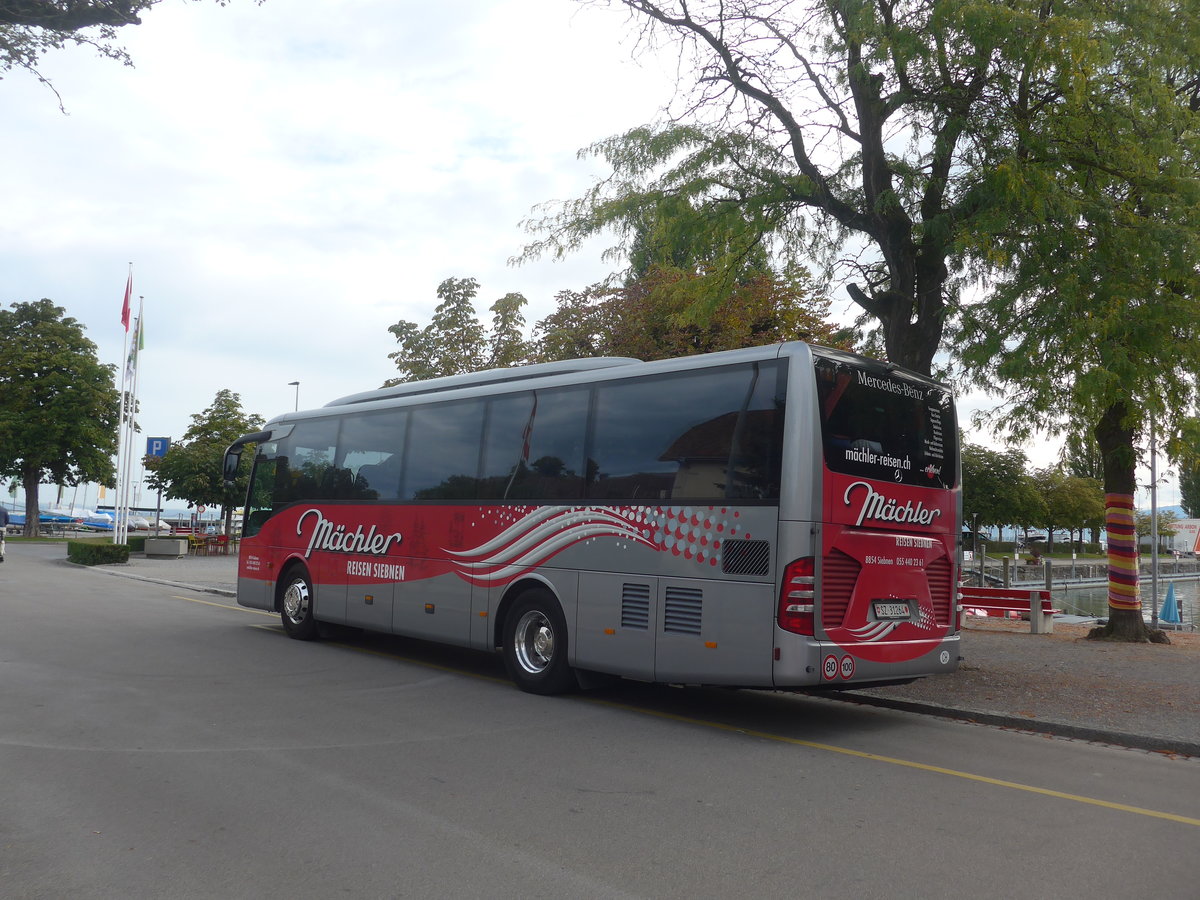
{"x": 157, "y": 742}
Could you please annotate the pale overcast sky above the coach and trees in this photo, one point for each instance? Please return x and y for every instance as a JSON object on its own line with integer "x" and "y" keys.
{"x": 291, "y": 179}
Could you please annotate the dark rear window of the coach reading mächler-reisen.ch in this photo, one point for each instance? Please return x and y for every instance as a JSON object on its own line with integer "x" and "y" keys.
{"x": 881, "y": 425}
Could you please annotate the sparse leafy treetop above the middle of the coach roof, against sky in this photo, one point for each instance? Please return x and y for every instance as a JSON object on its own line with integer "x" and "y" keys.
{"x": 455, "y": 341}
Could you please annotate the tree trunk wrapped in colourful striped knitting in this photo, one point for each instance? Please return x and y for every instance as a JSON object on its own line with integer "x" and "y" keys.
{"x": 1115, "y": 435}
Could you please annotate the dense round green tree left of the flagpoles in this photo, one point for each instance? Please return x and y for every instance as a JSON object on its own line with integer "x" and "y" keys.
{"x": 59, "y": 406}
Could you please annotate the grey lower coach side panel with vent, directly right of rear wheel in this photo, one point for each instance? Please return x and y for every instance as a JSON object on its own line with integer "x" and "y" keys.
{"x": 615, "y": 627}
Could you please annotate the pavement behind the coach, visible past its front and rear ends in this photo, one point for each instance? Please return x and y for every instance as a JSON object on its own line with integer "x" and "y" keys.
{"x": 1144, "y": 697}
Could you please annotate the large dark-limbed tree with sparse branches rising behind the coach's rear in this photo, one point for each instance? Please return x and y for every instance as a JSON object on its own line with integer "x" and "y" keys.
{"x": 869, "y": 134}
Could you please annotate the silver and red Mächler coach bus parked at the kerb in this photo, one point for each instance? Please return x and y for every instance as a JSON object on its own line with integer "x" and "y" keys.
{"x": 778, "y": 518}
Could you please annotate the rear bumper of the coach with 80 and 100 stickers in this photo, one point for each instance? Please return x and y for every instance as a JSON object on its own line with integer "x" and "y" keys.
{"x": 811, "y": 663}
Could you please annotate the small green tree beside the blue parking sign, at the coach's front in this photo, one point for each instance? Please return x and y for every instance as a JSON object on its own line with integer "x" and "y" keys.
{"x": 193, "y": 469}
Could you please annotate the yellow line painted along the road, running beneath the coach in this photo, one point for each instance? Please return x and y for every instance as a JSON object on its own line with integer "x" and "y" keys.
{"x": 777, "y": 739}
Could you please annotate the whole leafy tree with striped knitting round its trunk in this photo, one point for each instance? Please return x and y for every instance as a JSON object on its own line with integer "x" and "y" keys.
{"x": 1094, "y": 313}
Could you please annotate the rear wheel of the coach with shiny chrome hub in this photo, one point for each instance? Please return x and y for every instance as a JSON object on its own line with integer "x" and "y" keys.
{"x": 536, "y": 645}
